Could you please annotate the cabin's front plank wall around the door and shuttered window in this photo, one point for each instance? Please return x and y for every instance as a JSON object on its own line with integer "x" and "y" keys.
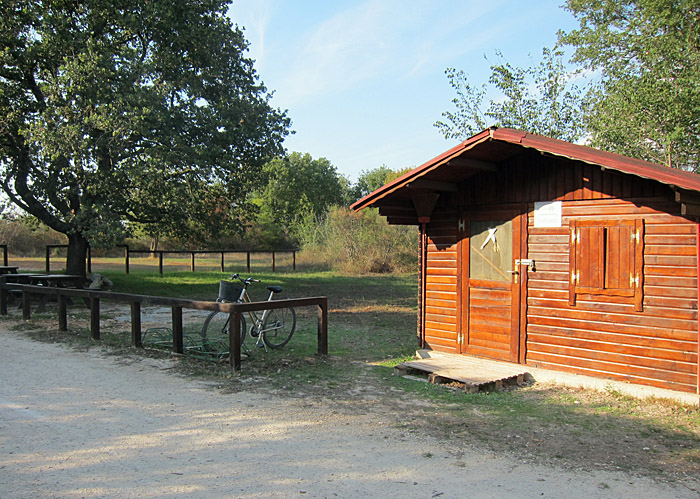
{"x": 599, "y": 335}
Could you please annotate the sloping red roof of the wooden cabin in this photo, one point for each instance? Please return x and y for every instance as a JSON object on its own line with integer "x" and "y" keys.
{"x": 508, "y": 136}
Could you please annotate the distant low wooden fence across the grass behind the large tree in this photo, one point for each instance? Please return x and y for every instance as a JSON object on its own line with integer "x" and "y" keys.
{"x": 128, "y": 252}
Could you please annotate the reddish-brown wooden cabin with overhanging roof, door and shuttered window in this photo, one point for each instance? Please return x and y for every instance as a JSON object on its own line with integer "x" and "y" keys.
{"x": 554, "y": 255}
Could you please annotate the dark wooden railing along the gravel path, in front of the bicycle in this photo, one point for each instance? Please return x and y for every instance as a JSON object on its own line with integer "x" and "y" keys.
{"x": 93, "y": 299}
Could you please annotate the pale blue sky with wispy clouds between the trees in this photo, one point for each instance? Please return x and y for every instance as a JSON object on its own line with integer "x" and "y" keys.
{"x": 364, "y": 81}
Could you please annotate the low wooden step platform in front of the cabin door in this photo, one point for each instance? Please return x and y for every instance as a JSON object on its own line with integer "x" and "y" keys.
{"x": 473, "y": 373}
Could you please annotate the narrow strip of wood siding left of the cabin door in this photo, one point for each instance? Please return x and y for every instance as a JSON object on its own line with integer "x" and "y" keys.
{"x": 441, "y": 280}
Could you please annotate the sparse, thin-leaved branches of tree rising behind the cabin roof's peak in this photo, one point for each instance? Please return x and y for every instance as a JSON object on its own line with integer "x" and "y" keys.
{"x": 542, "y": 99}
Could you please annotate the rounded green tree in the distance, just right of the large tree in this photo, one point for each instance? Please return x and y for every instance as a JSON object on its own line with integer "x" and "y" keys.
{"x": 299, "y": 185}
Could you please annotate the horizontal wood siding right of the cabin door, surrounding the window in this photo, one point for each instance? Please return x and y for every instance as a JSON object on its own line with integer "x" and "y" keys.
{"x": 604, "y": 335}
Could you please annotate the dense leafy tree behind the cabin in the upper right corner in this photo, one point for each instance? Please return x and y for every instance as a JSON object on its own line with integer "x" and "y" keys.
{"x": 647, "y": 103}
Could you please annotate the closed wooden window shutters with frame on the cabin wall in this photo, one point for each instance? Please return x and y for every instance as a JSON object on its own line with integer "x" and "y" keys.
{"x": 596, "y": 273}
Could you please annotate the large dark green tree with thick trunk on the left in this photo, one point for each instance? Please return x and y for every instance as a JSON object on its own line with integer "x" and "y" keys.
{"x": 123, "y": 113}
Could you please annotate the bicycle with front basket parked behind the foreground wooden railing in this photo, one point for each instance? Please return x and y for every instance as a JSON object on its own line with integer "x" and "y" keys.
{"x": 274, "y": 328}
